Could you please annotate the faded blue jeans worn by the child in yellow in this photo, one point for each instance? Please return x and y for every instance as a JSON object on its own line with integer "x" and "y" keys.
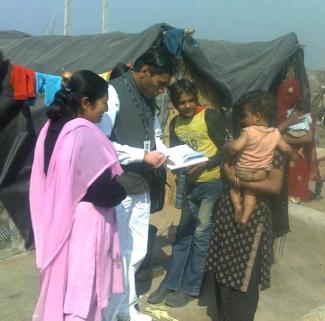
{"x": 186, "y": 269}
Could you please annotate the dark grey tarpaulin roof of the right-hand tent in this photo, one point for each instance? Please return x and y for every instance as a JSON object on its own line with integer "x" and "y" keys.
{"x": 257, "y": 65}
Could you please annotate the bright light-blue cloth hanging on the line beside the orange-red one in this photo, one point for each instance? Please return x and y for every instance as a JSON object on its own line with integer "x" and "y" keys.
{"x": 49, "y": 85}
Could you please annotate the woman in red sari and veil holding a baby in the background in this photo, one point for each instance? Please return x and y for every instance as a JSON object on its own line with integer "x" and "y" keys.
{"x": 298, "y": 129}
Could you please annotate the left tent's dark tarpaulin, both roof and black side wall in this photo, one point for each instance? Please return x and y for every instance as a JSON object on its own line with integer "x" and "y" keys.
{"x": 53, "y": 55}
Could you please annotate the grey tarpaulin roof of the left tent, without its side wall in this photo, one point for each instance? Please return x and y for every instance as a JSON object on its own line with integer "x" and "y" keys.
{"x": 99, "y": 52}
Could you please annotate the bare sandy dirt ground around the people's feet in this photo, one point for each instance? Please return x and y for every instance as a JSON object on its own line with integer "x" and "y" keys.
{"x": 297, "y": 281}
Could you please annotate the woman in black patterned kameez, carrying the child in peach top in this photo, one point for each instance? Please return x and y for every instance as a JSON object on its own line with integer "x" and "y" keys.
{"x": 241, "y": 252}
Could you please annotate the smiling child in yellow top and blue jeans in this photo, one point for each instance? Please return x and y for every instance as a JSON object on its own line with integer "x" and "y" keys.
{"x": 203, "y": 130}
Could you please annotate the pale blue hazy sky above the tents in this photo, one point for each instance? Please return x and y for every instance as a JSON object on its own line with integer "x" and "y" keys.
{"x": 232, "y": 20}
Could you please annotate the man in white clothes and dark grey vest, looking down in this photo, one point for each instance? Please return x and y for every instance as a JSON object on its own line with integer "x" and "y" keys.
{"x": 130, "y": 98}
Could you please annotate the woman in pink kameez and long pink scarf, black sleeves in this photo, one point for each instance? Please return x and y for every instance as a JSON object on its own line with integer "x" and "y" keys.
{"x": 72, "y": 197}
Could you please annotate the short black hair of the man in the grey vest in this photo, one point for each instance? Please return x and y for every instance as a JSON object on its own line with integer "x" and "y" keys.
{"x": 160, "y": 61}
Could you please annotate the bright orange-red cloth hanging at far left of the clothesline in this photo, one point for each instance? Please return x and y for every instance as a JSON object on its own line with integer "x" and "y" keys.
{"x": 22, "y": 81}
